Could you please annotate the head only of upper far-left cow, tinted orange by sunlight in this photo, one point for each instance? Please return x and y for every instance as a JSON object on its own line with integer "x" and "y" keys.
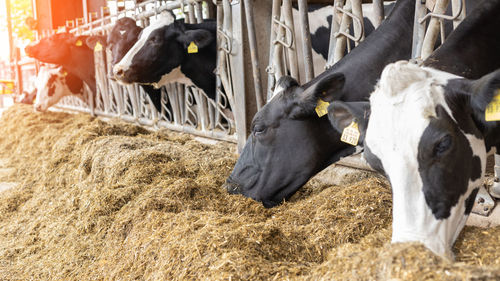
{"x": 55, "y": 49}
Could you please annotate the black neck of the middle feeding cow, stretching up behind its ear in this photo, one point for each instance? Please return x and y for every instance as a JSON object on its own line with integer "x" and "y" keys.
{"x": 390, "y": 42}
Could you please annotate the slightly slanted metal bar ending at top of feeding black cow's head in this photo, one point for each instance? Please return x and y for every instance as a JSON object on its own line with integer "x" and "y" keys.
{"x": 306, "y": 40}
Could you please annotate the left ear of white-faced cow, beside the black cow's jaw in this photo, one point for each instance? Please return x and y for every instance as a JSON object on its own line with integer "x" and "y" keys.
{"x": 342, "y": 114}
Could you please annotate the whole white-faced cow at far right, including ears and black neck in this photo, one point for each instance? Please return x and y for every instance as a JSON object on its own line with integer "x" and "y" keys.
{"x": 427, "y": 131}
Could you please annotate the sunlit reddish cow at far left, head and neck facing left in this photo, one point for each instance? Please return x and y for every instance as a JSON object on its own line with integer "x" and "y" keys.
{"x": 68, "y": 51}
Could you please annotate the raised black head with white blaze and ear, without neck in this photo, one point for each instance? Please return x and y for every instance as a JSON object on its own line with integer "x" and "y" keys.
{"x": 159, "y": 52}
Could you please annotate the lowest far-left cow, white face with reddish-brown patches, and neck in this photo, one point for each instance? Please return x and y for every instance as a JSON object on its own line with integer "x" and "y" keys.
{"x": 52, "y": 84}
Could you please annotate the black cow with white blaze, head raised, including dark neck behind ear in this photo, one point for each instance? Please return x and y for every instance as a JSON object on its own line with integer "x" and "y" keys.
{"x": 161, "y": 56}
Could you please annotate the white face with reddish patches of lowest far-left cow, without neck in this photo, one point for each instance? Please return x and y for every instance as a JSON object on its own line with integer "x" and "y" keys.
{"x": 51, "y": 87}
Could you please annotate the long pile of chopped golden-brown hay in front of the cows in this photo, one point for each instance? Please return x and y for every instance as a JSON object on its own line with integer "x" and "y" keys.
{"x": 101, "y": 200}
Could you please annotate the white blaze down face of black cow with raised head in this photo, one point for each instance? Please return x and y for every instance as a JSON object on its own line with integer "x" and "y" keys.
{"x": 126, "y": 61}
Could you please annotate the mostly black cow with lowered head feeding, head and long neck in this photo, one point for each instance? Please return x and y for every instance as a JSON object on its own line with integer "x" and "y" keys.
{"x": 289, "y": 143}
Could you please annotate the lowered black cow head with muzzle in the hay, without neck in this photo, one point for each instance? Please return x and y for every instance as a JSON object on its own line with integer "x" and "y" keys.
{"x": 289, "y": 143}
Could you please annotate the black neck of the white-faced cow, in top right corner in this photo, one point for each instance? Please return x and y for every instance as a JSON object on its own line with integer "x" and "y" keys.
{"x": 473, "y": 42}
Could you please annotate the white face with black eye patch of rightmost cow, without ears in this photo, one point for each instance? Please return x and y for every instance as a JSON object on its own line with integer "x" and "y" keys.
{"x": 414, "y": 135}
